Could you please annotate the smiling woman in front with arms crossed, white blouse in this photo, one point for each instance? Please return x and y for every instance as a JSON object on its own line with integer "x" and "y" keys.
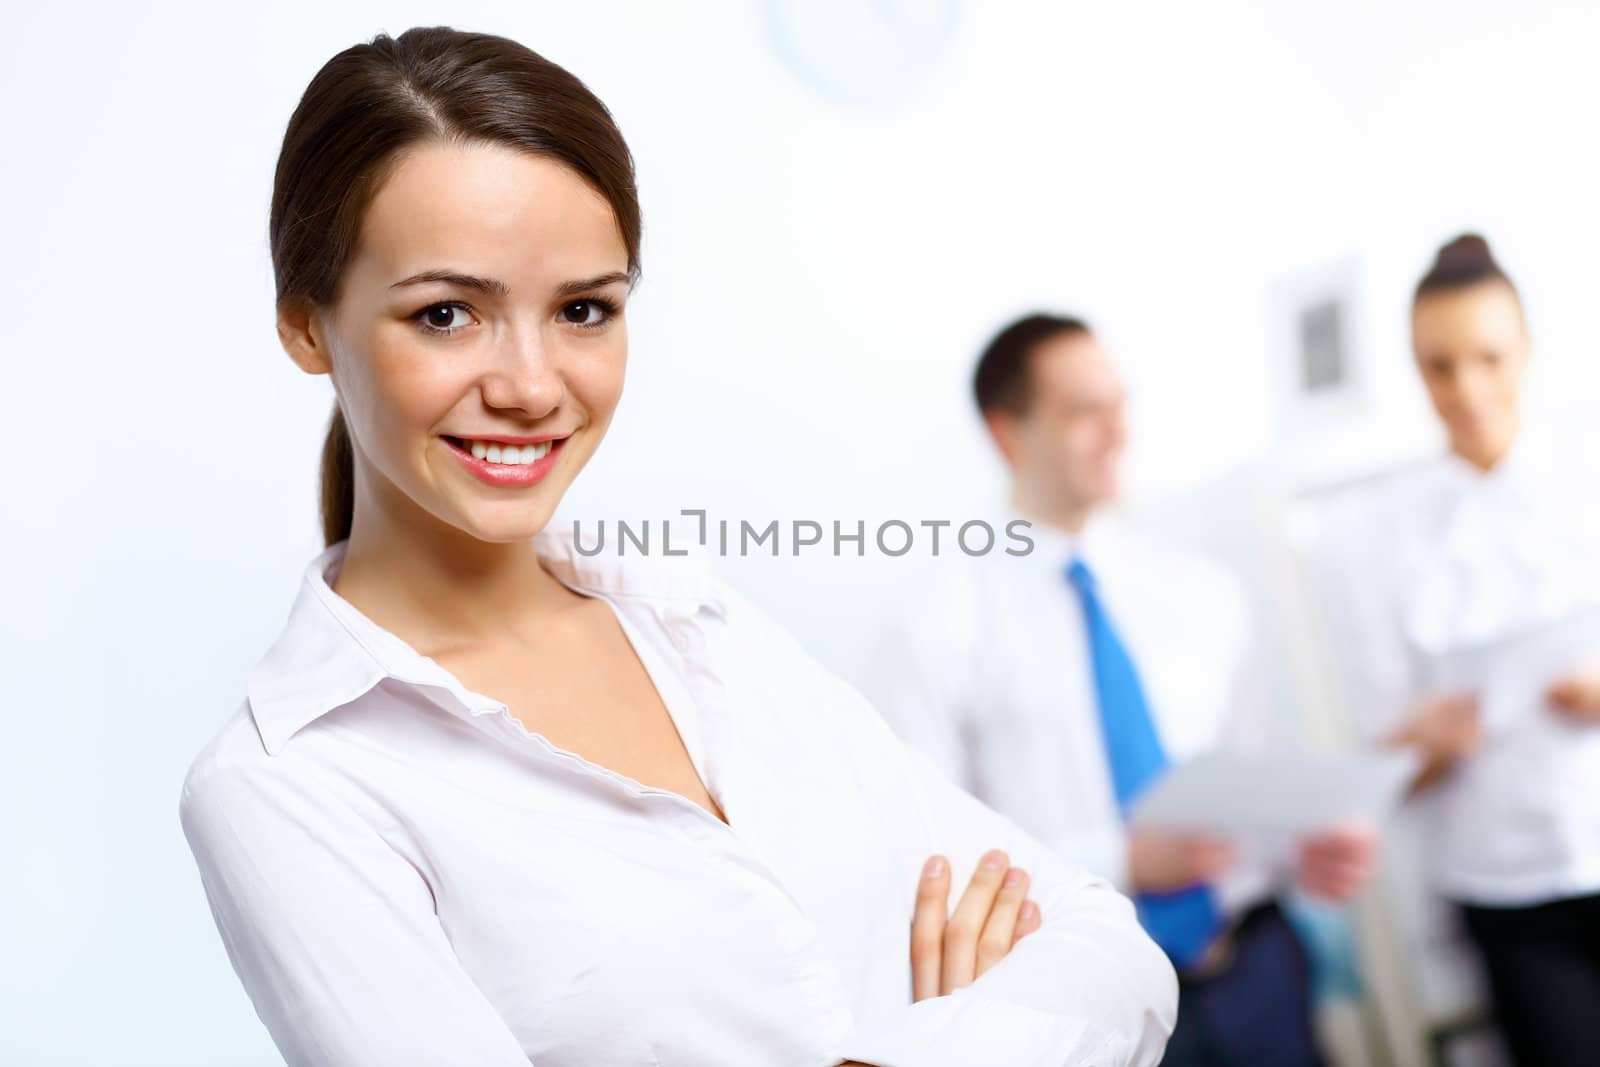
{"x": 494, "y": 802}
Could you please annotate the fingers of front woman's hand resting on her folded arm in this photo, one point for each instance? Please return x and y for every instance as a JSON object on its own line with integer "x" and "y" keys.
{"x": 993, "y": 916}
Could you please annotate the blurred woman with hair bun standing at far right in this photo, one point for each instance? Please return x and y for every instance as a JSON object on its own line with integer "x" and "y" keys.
{"x": 1454, "y": 580}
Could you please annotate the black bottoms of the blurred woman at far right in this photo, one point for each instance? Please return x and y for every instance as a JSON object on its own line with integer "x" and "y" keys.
{"x": 1543, "y": 965}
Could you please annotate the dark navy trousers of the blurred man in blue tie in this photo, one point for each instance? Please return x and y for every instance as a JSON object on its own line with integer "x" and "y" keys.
{"x": 1255, "y": 1013}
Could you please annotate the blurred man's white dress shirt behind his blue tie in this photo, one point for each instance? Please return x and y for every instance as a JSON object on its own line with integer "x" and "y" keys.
{"x": 990, "y": 673}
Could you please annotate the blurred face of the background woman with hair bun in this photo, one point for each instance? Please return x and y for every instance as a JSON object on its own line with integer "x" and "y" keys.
{"x": 1473, "y": 351}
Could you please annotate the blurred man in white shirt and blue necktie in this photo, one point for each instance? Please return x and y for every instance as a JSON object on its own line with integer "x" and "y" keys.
{"x": 1058, "y": 685}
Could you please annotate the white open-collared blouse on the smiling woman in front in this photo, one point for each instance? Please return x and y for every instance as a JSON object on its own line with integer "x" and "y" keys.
{"x": 402, "y": 874}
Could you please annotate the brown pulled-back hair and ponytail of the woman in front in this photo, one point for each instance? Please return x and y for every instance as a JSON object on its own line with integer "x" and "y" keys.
{"x": 375, "y": 100}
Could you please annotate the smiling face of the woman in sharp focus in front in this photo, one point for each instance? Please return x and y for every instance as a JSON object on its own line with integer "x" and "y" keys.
{"x": 478, "y": 340}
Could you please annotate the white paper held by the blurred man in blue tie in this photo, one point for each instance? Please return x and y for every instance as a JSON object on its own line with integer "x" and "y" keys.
{"x": 1298, "y": 793}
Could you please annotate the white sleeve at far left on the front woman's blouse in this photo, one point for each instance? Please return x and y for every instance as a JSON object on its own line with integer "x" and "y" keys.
{"x": 332, "y": 932}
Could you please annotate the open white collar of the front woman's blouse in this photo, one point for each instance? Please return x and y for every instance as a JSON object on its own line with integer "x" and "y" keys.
{"x": 329, "y": 653}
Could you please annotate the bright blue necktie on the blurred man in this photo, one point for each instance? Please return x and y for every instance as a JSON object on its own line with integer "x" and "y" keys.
{"x": 1186, "y": 921}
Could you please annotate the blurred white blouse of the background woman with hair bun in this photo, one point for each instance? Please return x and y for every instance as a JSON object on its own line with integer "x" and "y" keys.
{"x": 1428, "y": 581}
